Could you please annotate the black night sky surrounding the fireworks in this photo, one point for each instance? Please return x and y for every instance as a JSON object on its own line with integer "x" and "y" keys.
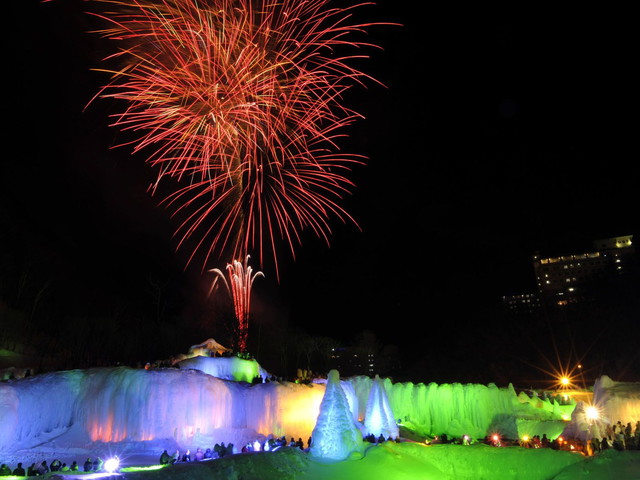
{"x": 497, "y": 134}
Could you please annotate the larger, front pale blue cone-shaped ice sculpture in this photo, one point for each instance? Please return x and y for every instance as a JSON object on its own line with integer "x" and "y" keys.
{"x": 335, "y": 435}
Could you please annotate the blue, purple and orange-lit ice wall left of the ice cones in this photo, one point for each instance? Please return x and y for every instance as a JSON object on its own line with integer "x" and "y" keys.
{"x": 135, "y": 405}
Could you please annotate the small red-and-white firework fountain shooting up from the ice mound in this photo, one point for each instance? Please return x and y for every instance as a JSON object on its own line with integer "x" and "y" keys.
{"x": 241, "y": 278}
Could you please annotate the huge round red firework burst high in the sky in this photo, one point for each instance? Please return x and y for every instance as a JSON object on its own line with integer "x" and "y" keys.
{"x": 240, "y": 101}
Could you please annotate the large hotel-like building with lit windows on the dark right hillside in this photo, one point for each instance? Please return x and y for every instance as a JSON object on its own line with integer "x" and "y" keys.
{"x": 575, "y": 278}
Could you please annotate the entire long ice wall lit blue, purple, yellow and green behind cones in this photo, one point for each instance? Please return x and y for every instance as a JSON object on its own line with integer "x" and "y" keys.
{"x": 192, "y": 408}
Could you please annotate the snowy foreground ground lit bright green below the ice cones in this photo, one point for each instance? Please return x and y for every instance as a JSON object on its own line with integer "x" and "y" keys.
{"x": 403, "y": 461}
